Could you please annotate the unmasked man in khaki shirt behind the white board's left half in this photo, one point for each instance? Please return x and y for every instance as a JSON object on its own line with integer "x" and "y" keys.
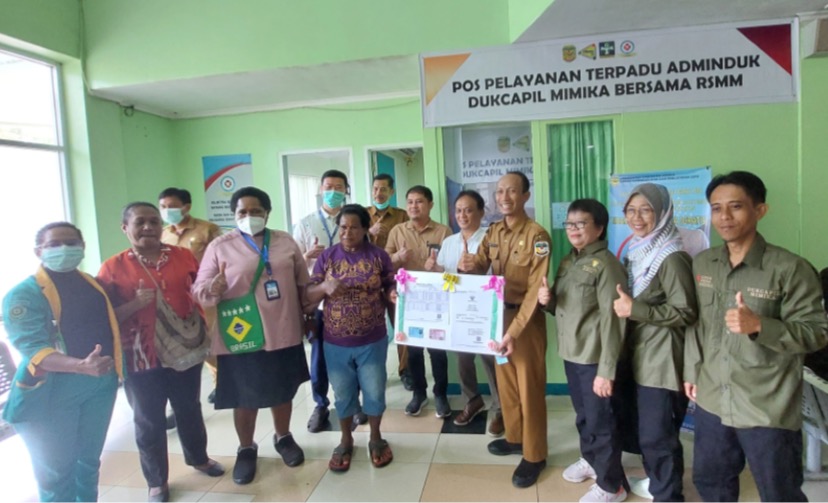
{"x": 410, "y": 245}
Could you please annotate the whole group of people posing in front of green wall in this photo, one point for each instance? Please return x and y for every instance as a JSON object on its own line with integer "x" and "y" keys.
{"x": 727, "y": 329}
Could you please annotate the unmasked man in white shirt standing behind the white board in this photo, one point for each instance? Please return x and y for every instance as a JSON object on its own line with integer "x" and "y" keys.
{"x": 469, "y": 208}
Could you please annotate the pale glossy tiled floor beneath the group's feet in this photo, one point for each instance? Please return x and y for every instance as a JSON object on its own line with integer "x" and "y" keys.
{"x": 428, "y": 465}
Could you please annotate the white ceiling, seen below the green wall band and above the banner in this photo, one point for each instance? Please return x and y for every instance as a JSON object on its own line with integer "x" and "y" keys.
{"x": 398, "y": 77}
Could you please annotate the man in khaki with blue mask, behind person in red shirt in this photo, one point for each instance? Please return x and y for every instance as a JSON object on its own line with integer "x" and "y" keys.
{"x": 192, "y": 233}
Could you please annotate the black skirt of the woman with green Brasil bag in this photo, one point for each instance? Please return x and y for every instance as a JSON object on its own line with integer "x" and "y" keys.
{"x": 261, "y": 379}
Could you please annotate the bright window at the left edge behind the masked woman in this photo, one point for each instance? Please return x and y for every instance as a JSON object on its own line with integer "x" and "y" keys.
{"x": 32, "y": 160}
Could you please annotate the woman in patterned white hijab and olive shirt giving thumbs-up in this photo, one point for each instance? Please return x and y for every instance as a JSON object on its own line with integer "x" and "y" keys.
{"x": 662, "y": 306}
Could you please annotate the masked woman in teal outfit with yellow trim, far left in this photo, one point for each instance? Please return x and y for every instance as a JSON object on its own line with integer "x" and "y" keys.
{"x": 64, "y": 391}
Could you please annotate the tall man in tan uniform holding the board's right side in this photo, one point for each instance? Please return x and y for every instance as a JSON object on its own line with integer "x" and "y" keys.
{"x": 518, "y": 249}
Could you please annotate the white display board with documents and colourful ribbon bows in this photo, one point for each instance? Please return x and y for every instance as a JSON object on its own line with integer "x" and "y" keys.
{"x": 455, "y": 312}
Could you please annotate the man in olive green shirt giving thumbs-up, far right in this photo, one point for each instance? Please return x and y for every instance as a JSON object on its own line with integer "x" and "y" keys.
{"x": 760, "y": 312}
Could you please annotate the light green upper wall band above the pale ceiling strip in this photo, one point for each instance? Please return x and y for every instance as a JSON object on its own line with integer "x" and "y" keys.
{"x": 129, "y": 41}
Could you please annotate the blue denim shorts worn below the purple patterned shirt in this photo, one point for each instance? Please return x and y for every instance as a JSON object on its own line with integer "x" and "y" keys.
{"x": 355, "y": 369}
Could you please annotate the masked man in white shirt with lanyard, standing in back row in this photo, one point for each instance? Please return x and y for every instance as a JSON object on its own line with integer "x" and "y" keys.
{"x": 314, "y": 233}
